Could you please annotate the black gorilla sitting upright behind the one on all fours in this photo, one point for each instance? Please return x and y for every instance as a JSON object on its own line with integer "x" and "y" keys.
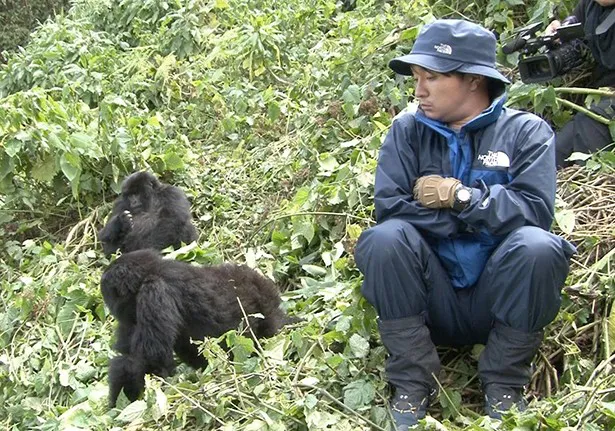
{"x": 148, "y": 214}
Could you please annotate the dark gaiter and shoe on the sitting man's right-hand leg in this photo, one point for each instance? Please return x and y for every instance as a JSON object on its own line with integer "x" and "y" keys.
{"x": 505, "y": 368}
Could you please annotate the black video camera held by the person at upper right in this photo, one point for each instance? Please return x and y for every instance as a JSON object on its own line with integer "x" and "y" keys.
{"x": 545, "y": 57}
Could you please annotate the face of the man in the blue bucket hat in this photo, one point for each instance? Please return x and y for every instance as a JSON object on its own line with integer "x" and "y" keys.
{"x": 442, "y": 97}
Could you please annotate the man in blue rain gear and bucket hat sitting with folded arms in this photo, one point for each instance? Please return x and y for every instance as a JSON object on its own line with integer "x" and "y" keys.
{"x": 461, "y": 253}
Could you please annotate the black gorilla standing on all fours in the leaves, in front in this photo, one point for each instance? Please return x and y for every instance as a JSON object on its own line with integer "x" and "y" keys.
{"x": 161, "y": 304}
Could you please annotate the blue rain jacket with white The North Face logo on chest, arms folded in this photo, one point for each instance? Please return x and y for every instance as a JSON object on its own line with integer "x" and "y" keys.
{"x": 506, "y": 156}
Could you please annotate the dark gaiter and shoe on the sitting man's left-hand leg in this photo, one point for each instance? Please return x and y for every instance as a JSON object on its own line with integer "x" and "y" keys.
{"x": 411, "y": 362}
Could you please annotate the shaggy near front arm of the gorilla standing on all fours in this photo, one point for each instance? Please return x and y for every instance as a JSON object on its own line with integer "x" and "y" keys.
{"x": 159, "y": 323}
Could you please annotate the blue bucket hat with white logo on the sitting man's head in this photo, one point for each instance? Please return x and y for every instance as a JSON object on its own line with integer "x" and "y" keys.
{"x": 448, "y": 45}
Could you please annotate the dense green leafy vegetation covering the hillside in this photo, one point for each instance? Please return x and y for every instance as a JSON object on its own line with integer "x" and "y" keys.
{"x": 271, "y": 119}
